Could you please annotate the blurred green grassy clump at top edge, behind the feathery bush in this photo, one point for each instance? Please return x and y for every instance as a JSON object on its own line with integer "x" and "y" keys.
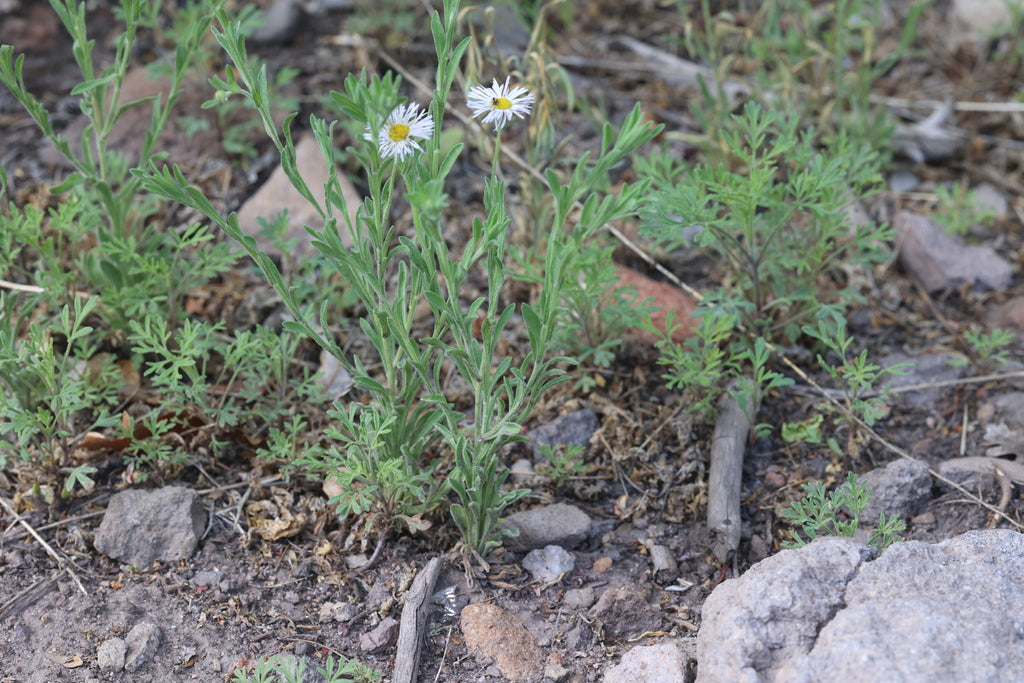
{"x": 819, "y": 66}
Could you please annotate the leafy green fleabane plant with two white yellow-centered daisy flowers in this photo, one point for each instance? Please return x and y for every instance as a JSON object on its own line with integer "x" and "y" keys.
{"x": 390, "y": 437}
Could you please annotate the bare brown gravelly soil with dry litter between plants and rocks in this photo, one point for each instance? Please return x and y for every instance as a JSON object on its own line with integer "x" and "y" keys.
{"x": 242, "y": 597}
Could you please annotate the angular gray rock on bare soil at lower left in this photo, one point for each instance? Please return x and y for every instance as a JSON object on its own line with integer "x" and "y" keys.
{"x": 141, "y": 527}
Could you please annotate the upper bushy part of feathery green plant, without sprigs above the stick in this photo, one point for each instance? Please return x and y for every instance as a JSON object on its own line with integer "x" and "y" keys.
{"x": 779, "y": 226}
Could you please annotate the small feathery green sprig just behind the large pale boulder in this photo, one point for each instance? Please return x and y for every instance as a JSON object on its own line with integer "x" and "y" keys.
{"x": 822, "y": 515}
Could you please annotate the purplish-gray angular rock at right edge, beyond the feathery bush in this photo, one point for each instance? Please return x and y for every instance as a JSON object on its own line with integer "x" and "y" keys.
{"x": 940, "y": 262}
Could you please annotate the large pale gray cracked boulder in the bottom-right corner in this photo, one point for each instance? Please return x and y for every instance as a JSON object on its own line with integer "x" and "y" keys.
{"x": 950, "y": 612}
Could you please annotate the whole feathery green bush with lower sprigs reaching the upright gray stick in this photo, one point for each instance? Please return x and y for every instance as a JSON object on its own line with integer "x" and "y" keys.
{"x": 779, "y": 229}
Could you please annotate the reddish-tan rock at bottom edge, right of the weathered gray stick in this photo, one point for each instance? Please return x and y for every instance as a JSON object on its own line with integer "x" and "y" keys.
{"x": 495, "y": 634}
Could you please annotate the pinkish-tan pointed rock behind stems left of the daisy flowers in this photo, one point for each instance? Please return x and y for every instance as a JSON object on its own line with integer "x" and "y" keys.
{"x": 278, "y": 194}
